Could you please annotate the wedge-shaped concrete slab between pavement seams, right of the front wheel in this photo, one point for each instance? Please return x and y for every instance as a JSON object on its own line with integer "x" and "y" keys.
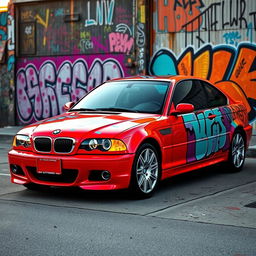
{"x": 229, "y": 207}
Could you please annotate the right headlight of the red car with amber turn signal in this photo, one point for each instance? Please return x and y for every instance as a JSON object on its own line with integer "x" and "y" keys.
{"x": 103, "y": 145}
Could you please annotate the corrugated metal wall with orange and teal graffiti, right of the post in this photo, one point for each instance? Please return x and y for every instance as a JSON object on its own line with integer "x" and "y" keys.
{"x": 217, "y": 43}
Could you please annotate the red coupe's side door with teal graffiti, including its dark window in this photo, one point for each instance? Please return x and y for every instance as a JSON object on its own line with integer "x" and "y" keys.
{"x": 189, "y": 133}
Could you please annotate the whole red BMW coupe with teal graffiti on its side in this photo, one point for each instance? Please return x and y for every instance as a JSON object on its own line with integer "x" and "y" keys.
{"x": 132, "y": 133}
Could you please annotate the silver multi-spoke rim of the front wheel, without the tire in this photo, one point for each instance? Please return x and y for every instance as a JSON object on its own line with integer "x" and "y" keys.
{"x": 147, "y": 170}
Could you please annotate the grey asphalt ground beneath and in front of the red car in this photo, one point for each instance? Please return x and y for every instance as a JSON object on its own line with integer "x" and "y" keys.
{"x": 200, "y": 213}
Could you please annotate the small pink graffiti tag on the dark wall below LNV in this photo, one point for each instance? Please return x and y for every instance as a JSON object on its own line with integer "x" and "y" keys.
{"x": 119, "y": 42}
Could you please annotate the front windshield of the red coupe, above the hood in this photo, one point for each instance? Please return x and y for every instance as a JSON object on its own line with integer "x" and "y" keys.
{"x": 126, "y": 96}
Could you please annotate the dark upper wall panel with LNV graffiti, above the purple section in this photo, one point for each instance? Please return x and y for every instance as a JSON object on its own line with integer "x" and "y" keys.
{"x": 77, "y": 27}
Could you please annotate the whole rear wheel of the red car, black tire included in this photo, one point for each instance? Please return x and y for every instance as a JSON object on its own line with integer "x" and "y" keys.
{"x": 236, "y": 153}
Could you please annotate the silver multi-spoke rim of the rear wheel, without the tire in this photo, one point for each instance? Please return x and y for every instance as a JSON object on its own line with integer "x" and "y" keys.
{"x": 238, "y": 150}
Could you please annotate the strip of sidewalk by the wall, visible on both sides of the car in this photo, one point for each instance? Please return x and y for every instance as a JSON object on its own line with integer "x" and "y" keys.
{"x": 8, "y": 132}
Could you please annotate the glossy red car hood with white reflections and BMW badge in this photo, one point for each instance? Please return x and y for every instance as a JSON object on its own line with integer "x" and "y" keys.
{"x": 86, "y": 124}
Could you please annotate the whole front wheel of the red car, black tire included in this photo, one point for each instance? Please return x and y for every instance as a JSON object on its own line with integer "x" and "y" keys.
{"x": 146, "y": 171}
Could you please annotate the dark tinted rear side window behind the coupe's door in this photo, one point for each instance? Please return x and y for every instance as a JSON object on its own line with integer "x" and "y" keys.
{"x": 215, "y": 97}
